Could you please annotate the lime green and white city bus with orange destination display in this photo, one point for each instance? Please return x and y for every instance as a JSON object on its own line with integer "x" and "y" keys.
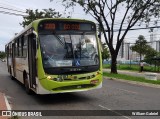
{"x": 56, "y": 56}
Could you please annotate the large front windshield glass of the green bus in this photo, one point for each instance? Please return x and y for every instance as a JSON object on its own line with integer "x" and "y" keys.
{"x": 69, "y": 50}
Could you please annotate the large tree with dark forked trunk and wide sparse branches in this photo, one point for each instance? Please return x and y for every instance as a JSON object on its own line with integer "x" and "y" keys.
{"x": 105, "y": 13}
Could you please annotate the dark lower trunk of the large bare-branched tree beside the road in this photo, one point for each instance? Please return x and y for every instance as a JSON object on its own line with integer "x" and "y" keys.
{"x": 114, "y": 64}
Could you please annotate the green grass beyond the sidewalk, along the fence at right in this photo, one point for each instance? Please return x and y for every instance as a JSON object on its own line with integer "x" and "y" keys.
{"x": 132, "y": 67}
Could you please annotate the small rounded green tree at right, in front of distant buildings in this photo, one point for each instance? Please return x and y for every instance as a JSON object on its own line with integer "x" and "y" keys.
{"x": 141, "y": 46}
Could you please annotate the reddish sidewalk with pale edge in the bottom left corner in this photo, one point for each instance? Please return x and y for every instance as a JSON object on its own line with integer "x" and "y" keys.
{"x": 3, "y": 105}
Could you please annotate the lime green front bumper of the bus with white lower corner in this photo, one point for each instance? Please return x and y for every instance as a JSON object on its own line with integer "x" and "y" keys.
{"x": 46, "y": 86}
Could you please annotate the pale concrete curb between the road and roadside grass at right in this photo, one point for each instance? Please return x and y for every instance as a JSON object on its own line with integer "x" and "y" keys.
{"x": 134, "y": 82}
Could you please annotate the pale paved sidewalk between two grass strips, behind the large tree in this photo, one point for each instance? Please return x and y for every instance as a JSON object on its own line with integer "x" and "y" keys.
{"x": 132, "y": 73}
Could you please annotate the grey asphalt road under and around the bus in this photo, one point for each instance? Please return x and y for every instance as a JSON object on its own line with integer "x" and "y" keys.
{"x": 114, "y": 95}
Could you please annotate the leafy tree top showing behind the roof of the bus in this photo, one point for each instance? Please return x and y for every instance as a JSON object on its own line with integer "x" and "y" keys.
{"x": 33, "y": 15}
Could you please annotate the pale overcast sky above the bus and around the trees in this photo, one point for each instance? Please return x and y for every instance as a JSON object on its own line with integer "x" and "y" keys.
{"x": 10, "y": 24}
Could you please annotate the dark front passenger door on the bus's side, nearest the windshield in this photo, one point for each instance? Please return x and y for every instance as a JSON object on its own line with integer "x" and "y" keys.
{"x": 32, "y": 60}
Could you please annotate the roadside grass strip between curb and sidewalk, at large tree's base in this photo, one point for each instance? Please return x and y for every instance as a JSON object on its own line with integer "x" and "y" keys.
{"x": 131, "y": 78}
